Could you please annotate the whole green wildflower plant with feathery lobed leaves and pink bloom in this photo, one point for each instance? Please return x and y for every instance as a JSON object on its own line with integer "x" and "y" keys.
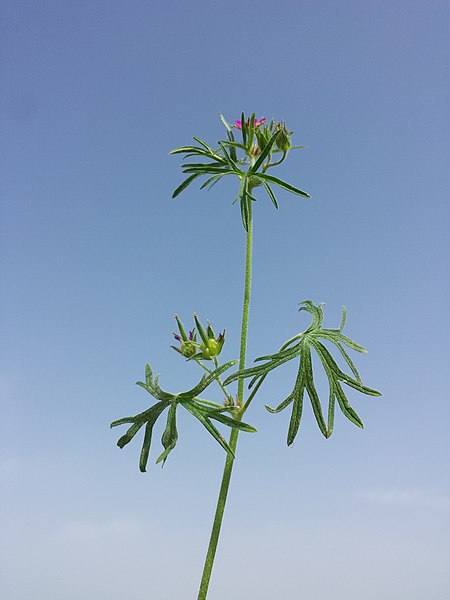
{"x": 251, "y": 149}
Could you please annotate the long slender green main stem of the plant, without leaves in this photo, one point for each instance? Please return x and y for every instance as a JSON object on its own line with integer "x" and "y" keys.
{"x": 218, "y": 517}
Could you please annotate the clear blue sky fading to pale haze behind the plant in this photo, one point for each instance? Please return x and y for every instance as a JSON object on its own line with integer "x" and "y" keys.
{"x": 96, "y": 258}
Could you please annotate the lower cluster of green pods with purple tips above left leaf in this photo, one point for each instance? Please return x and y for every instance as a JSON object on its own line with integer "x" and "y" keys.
{"x": 207, "y": 348}
